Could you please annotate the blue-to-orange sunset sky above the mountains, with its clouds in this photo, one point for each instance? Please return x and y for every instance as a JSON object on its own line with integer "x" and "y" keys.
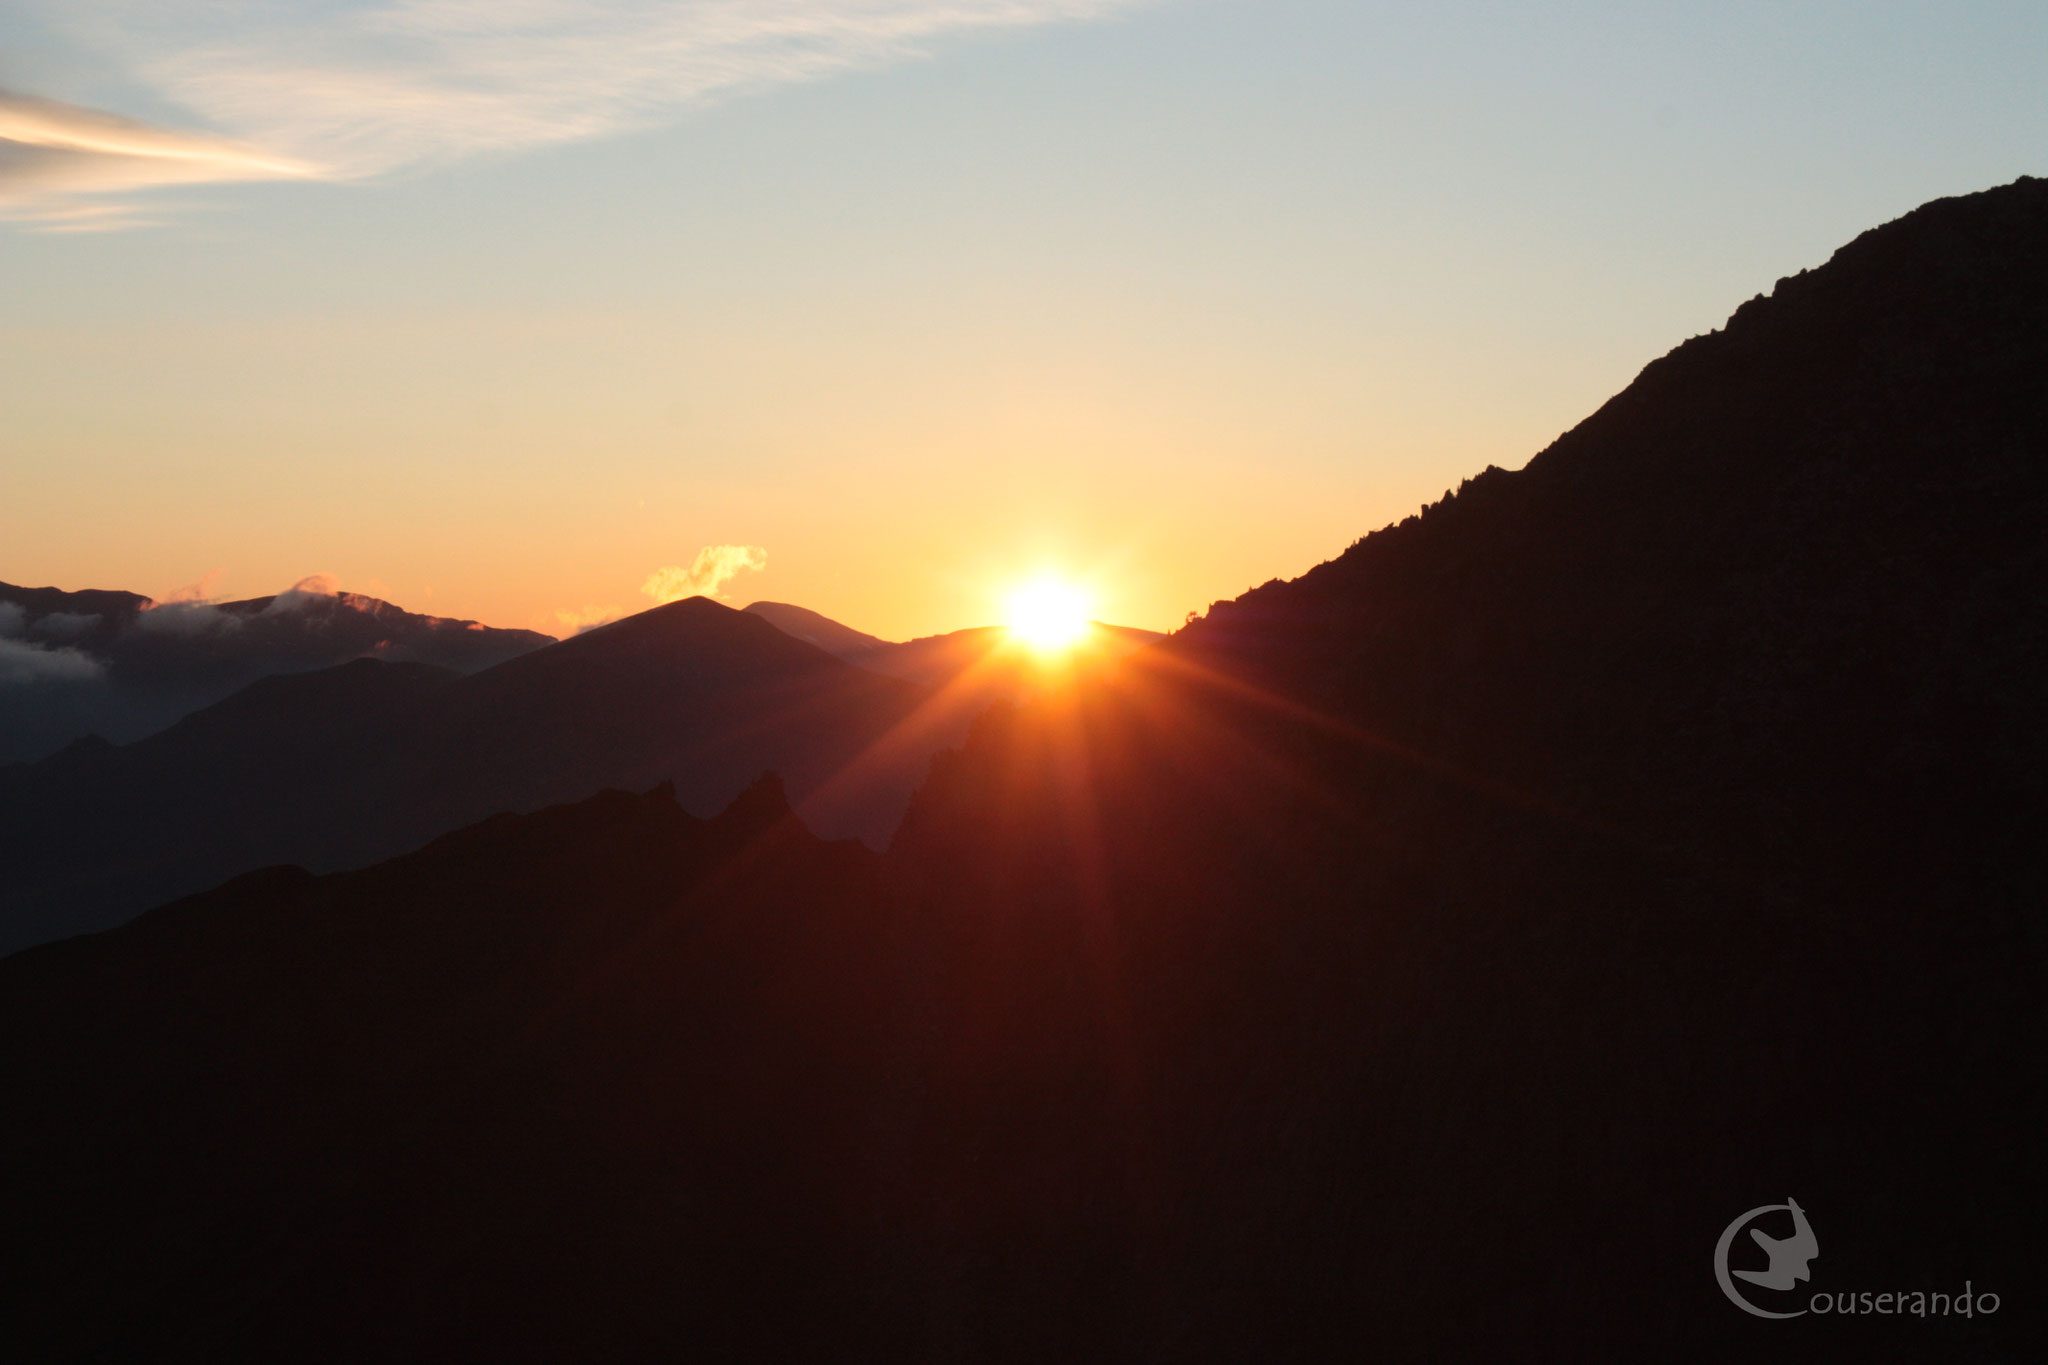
{"x": 534, "y": 310}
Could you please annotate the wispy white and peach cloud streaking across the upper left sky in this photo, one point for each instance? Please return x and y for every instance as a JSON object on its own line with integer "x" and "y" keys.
{"x": 361, "y": 87}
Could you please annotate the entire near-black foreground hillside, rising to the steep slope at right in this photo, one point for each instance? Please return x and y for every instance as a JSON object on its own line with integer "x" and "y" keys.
{"x": 1420, "y": 961}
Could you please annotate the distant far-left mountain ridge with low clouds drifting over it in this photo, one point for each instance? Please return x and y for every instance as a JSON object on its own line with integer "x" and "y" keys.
{"x": 122, "y": 666}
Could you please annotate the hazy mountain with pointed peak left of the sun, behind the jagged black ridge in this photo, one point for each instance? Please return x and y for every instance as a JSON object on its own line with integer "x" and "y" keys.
{"x": 359, "y": 762}
